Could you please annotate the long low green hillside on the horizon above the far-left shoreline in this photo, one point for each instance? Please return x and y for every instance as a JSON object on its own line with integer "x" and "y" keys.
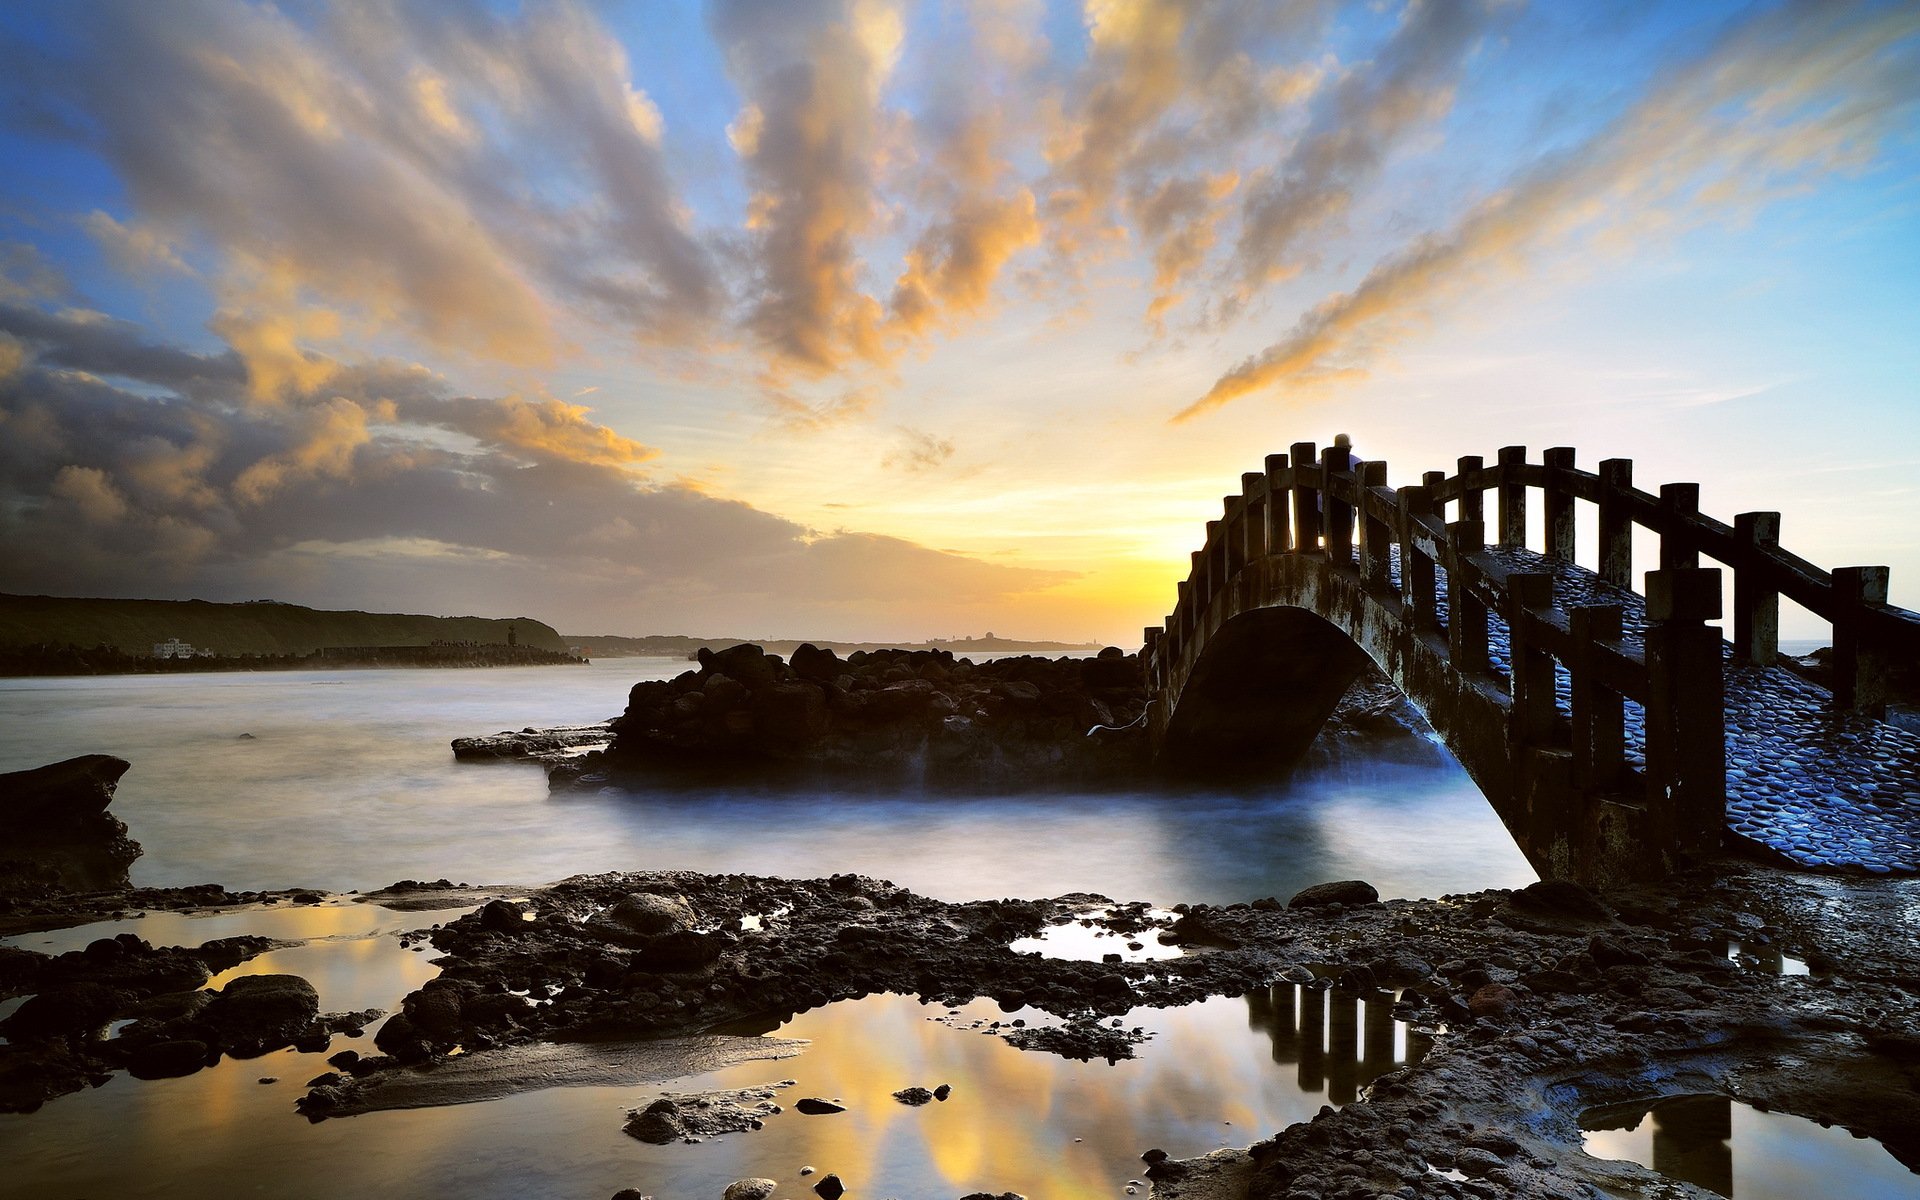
{"x": 251, "y": 629}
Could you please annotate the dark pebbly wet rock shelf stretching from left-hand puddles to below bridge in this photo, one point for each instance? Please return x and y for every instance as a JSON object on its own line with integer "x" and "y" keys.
{"x": 1541, "y": 1003}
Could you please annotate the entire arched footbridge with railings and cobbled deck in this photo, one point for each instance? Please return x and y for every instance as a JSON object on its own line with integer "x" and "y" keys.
{"x": 1616, "y": 732}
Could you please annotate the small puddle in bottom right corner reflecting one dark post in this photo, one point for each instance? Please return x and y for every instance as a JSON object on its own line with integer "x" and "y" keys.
{"x": 1737, "y": 1151}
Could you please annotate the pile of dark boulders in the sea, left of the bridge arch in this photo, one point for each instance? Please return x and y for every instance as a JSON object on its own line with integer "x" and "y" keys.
{"x": 892, "y": 715}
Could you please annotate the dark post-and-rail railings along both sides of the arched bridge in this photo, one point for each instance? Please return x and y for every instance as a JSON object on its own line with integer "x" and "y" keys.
{"x": 1316, "y": 502}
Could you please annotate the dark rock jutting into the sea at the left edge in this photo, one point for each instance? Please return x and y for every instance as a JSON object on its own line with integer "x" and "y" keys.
{"x": 57, "y": 834}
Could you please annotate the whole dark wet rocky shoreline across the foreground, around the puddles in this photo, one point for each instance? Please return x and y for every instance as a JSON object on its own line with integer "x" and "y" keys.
{"x": 1533, "y": 1005}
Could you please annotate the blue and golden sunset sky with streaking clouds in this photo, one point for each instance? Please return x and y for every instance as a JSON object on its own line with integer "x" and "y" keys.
{"x": 867, "y": 320}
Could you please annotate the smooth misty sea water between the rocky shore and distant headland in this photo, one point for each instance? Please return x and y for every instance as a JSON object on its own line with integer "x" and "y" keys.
{"x": 348, "y": 784}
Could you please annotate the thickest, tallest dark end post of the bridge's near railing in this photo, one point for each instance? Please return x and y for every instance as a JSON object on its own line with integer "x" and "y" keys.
{"x": 1687, "y": 711}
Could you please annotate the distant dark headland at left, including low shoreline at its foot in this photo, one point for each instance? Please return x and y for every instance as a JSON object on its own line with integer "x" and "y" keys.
{"x": 59, "y": 636}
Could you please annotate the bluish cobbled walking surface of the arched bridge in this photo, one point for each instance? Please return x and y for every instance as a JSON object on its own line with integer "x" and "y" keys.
{"x": 1815, "y": 786}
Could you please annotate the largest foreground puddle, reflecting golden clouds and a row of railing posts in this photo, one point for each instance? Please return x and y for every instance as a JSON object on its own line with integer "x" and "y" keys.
{"x": 1214, "y": 1074}
